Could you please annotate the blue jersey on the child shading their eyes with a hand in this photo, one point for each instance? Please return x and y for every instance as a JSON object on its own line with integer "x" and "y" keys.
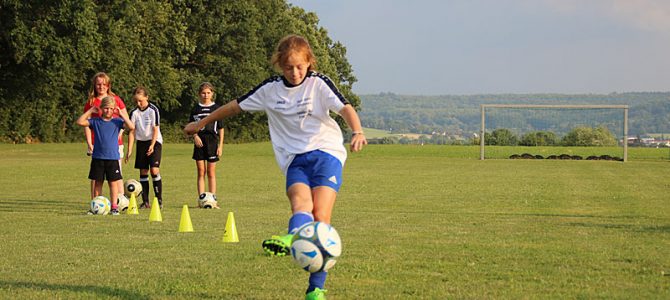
{"x": 106, "y": 133}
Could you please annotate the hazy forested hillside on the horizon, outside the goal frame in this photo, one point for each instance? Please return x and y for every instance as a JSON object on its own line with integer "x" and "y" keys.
{"x": 649, "y": 112}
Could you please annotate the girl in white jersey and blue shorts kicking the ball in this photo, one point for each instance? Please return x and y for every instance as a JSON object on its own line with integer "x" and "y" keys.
{"x": 307, "y": 142}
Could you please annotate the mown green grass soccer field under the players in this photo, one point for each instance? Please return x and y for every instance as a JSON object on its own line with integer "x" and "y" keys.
{"x": 417, "y": 222}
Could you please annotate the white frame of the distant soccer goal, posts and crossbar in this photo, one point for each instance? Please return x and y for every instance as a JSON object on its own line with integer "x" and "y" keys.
{"x": 623, "y": 118}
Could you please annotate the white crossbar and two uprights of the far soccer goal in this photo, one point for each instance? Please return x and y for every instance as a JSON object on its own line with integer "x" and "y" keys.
{"x": 483, "y": 108}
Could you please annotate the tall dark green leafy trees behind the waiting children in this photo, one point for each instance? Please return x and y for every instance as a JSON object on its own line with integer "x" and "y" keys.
{"x": 49, "y": 50}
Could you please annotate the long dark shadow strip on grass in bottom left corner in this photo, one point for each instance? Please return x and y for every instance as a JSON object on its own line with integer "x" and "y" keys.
{"x": 96, "y": 290}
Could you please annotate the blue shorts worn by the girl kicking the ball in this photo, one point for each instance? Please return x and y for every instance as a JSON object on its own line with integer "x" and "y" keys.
{"x": 315, "y": 168}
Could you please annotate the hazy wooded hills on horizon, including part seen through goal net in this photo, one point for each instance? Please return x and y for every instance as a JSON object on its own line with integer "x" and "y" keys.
{"x": 649, "y": 112}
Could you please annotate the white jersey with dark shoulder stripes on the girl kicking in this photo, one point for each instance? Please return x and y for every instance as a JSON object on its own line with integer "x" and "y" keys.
{"x": 299, "y": 116}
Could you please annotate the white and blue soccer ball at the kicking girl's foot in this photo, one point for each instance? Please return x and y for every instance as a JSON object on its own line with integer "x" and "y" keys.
{"x": 316, "y": 247}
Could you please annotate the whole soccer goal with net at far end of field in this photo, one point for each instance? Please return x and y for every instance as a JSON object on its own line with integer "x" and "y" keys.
{"x": 593, "y": 132}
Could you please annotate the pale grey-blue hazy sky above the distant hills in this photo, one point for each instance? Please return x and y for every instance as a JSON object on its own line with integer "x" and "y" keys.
{"x": 464, "y": 47}
